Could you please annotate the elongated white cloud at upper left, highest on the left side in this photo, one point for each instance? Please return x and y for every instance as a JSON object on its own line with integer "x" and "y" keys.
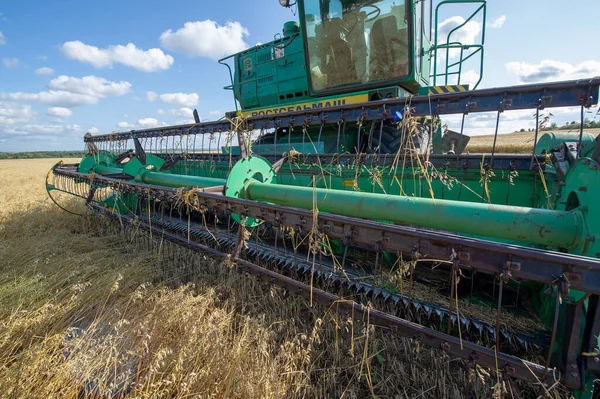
{"x": 151, "y": 60}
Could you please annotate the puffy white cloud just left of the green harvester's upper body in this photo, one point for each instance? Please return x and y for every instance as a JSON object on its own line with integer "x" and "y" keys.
{"x": 206, "y": 39}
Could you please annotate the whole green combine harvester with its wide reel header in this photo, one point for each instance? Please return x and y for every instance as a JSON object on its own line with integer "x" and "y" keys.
{"x": 337, "y": 180}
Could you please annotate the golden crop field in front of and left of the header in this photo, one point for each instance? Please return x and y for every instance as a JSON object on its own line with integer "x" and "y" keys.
{"x": 86, "y": 311}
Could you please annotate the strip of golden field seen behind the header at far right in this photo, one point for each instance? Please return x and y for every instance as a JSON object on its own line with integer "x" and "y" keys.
{"x": 513, "y": 143}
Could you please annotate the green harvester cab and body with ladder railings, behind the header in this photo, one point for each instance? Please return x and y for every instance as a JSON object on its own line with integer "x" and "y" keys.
{"x": 345, "y": 52}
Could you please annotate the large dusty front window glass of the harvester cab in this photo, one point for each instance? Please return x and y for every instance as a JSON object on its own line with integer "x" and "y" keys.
{"x": 355, "y": 42}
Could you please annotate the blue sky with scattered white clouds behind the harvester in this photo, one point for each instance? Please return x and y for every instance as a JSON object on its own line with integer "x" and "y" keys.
{"x": 69, "y": 67}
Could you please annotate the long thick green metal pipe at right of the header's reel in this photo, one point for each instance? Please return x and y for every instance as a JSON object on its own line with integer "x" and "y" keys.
{"x": 562, "y": 229}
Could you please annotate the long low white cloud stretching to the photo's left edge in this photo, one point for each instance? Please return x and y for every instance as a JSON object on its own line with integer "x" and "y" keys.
{"x": 69, "y": 92}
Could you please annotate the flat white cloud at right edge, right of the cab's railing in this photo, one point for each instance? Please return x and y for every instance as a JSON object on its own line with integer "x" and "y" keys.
{"x": 548, "y": 70}
